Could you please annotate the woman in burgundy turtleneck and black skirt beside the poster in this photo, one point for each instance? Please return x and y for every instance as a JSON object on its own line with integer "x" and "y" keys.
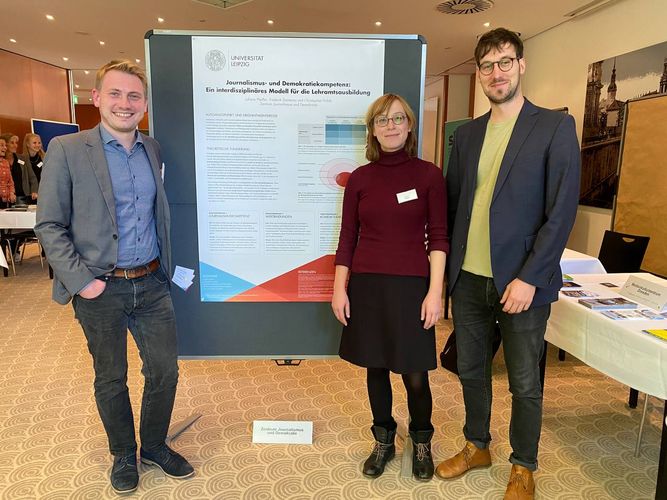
{"x": 396, "y": 274}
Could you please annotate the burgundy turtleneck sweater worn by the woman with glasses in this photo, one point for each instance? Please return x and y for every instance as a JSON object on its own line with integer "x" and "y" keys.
{"x": 380, "y": 235}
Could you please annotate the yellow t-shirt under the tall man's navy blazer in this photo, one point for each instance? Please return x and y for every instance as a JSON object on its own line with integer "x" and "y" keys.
{"x": 477, "y": 259}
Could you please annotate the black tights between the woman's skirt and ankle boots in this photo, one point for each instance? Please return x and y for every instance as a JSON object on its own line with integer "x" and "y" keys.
{"x": 420, "y": 403}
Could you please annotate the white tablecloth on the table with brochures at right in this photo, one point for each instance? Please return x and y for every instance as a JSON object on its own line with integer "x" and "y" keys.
{"x": 617, "y": 348}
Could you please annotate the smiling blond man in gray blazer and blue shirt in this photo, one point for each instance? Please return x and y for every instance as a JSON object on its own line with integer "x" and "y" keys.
{"x": 103, "y": 220}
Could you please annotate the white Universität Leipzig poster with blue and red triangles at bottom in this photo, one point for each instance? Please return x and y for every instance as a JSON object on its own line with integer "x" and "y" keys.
{"x": 279, "y": 127}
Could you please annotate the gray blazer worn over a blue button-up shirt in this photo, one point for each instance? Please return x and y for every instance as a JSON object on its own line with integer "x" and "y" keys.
{"x": 76, "y": 212}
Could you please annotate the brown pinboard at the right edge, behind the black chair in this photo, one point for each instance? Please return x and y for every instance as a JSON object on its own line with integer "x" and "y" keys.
{"x": 640, "y": 206}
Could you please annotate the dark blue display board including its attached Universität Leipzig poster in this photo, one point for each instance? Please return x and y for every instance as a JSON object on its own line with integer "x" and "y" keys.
{"x": 259, "y": 134}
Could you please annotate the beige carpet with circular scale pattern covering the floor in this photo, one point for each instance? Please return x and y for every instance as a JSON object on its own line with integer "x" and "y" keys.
{"x": 52, "y": 445}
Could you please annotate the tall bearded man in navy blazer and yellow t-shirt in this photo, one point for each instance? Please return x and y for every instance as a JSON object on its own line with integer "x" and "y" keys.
{"x": 513, "y": 187}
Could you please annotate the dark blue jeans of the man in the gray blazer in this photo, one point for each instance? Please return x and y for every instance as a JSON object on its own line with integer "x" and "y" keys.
{"x": 142, "y": 305}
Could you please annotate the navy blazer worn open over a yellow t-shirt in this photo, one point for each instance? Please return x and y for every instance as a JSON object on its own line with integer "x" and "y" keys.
{"x": 534, "y": 202}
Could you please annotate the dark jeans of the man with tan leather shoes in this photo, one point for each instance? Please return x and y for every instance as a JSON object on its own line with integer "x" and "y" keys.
{"x": 476, "y": 308}
